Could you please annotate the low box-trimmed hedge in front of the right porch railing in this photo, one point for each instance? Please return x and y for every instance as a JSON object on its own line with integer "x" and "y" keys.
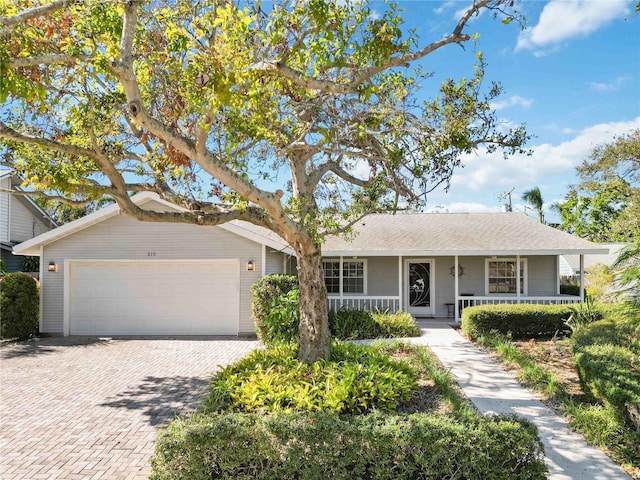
{"x": 519, "y": 321}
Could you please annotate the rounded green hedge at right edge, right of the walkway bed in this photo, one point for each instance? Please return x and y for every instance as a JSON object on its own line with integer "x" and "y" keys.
{"x": 608, "y": 359}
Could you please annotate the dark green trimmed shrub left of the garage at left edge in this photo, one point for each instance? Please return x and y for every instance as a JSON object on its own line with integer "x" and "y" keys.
{"x": 19, "y": 306}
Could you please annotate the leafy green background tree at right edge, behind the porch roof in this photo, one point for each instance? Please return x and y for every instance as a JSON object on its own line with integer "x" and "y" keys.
{"x": 605, "y": 205}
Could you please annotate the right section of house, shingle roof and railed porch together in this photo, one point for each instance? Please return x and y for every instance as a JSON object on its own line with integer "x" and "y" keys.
{"x": 435, "y": 265}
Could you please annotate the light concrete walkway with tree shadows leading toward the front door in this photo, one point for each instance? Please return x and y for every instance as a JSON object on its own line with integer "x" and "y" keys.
{"x": 568, "y": 456}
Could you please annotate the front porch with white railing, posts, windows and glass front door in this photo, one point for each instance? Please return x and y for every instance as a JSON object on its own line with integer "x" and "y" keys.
{"x": 442, "y": 287}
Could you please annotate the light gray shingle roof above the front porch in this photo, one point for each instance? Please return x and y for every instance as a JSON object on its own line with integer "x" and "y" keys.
{"x": 456, "y": 234}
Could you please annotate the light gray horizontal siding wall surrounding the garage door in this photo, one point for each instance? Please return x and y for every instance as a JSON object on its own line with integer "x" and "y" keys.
{"x": 123, "y": 237}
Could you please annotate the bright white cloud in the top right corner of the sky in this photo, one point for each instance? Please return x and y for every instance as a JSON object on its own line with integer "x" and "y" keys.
{"x": 561, "y": 20}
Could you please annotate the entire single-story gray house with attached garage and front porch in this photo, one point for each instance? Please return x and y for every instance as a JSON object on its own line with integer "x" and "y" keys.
{"x": 109, "y": 274}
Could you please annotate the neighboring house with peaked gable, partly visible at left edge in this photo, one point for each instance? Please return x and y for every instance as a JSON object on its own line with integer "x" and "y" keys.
{"x": 20, "y": 219}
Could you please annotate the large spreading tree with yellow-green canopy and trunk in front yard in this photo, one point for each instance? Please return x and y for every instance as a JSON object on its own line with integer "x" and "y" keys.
{"x": 301, "y": 117}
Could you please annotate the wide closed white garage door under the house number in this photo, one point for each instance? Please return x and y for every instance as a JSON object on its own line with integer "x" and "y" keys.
{"x": 153, "y": 298}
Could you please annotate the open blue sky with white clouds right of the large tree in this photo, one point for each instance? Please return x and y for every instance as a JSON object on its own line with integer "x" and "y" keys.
{"x": 572, "y": 76}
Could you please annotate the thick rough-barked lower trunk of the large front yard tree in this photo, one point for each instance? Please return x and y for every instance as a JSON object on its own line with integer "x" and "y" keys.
{"x": 314, "y": 318}
